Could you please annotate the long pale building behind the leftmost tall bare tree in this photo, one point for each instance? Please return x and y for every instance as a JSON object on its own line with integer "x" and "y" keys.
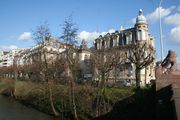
{"x": 49, "y": 51}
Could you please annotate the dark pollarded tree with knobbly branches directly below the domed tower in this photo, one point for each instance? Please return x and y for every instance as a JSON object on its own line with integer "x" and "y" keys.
{"x": 142, "y": 55}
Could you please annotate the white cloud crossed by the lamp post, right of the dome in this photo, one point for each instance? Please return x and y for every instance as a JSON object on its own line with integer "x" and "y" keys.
{"x": 154, "y": 16}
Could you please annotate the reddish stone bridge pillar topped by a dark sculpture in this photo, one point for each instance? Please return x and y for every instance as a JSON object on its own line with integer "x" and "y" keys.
{"x": 167, "y": 75}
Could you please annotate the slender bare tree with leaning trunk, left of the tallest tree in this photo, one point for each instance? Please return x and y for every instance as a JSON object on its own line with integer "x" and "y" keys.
{"x": 42, "y": 34}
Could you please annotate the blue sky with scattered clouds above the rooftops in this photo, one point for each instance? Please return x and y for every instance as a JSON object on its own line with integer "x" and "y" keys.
{"x": 19, "y": 17}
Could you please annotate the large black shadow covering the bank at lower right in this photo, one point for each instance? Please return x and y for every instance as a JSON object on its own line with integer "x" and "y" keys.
{"x": 146, "y": 104}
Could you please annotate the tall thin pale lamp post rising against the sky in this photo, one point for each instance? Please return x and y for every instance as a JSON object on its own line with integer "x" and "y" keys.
{"x": 160, "y": 28}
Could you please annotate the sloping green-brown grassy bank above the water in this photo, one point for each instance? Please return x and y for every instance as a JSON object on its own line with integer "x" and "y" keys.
{"x": 36, "y": 95}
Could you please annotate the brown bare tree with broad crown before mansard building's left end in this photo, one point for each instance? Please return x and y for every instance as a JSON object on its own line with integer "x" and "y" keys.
{"x": 104, "y": 62}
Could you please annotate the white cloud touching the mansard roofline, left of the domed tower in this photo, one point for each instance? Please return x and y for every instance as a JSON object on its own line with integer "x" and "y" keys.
{"x": 90, "y": 36}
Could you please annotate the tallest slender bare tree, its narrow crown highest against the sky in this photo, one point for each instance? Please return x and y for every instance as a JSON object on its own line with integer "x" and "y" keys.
{"x": 69, "y": 36}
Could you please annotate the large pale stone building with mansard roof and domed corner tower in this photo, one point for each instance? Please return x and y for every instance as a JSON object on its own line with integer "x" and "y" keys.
{"x": 121, "y": 41}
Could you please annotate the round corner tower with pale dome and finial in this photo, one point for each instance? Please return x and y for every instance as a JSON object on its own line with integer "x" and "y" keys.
{"x": 141, "y": 27}
